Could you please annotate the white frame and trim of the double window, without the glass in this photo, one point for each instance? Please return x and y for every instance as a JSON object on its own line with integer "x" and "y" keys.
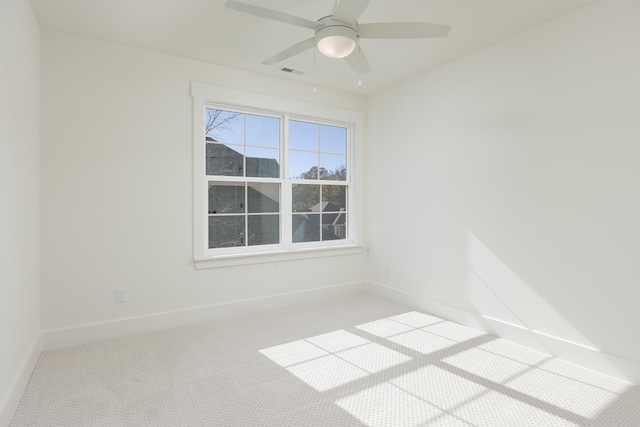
{"x": 220, "y": 97}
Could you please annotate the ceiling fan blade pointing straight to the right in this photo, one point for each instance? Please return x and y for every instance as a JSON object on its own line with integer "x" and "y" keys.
{"x": 402, "y": 30}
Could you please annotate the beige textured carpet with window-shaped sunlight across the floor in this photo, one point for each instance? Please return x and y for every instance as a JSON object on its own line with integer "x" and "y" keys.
{"x": 353, "y": 361}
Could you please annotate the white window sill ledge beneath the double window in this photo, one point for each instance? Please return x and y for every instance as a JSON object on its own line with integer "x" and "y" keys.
{"x": 234, "y": 260}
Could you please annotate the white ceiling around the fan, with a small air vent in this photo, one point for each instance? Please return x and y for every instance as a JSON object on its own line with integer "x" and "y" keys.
{"x": 207, "y": 31}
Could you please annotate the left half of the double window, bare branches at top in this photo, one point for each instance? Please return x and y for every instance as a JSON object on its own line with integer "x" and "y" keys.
{"x": 243, "y": 161}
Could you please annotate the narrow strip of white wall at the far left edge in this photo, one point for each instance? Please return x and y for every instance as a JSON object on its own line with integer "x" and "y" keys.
{"x": 19, "y": 190}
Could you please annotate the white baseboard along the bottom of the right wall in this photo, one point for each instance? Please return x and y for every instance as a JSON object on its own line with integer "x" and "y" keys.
{"x": 579, "y": 354}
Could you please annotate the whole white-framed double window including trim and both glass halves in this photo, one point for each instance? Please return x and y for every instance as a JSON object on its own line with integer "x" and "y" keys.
{"x": 273, "y": 178}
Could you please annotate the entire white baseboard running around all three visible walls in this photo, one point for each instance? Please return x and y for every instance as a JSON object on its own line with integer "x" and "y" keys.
{"x": 610, "y": 364}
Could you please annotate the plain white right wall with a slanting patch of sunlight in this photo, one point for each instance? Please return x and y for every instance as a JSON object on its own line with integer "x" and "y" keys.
{"x": 504, "y": 187}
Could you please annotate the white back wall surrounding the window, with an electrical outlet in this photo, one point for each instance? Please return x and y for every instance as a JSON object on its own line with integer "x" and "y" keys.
{"x": 117, "y": 187}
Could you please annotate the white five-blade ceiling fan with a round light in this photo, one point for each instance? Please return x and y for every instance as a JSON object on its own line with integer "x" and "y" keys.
{"x": 337, "y": 34}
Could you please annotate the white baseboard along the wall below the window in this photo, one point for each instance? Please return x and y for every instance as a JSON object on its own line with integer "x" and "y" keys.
{"x": 67, "y": 337}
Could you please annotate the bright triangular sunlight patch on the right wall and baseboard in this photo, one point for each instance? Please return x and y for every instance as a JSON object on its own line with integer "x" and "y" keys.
{"x": 514, "y": 310}
